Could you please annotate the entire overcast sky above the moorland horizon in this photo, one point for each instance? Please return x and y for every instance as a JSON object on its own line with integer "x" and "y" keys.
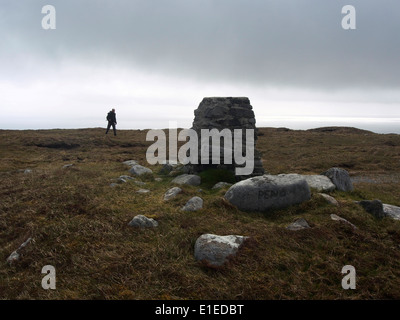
{"x": 155, "y": 60}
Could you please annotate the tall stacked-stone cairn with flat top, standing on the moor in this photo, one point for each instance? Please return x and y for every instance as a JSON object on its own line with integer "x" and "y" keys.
{"x": 226, "y": 113}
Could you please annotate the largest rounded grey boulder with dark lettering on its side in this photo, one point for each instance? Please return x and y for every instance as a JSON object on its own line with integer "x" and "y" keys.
{"x": 269, "y": 192}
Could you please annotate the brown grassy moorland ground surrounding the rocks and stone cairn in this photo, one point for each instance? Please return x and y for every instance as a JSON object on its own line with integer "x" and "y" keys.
{"x": 79, "y": 223}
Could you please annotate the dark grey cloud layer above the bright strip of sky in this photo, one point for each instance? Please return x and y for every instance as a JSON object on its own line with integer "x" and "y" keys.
{"x": 269, "y": 42}
